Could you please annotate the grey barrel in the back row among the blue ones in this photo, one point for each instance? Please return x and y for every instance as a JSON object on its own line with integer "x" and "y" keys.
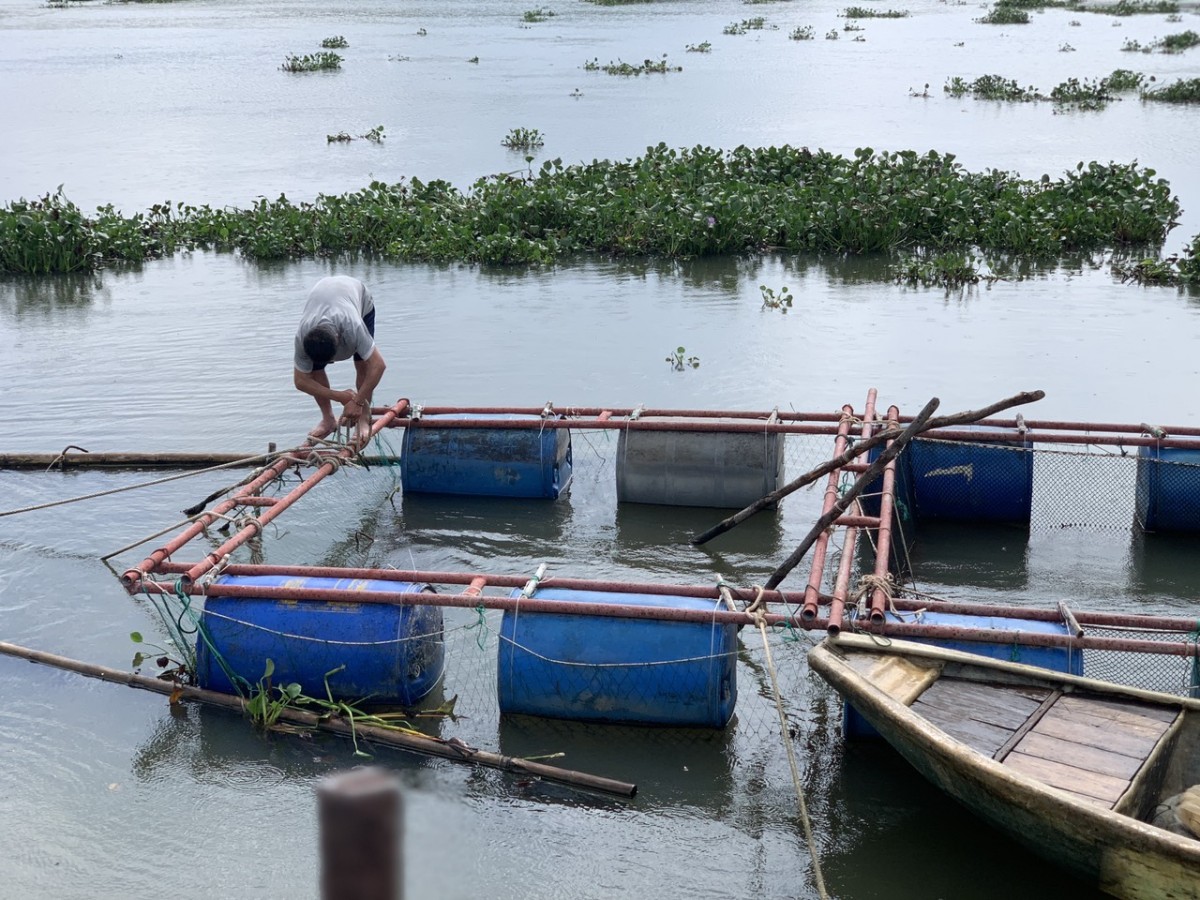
{"x": 698, "y": 469}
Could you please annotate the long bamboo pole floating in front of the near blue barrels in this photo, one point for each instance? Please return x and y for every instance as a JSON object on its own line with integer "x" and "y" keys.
{"x": 453, "y": 749}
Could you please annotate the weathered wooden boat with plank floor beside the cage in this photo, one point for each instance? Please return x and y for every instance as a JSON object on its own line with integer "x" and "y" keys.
{"x": 1072, "y": 767}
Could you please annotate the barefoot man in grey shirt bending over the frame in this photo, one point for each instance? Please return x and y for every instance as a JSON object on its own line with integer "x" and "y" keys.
{"x": 339, "y": 323}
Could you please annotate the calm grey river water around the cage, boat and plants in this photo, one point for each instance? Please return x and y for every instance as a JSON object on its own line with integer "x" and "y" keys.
{"x": 109, "y": 794}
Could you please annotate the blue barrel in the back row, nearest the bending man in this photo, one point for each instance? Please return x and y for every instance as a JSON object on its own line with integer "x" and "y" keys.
{"x": 487, "y": 463}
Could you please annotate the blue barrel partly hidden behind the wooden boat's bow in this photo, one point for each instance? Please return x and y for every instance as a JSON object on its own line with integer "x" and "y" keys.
{"x": 1057, "y": 659}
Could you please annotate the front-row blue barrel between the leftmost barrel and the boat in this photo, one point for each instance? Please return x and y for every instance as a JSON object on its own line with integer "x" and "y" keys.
{"x": 619, "y": 670}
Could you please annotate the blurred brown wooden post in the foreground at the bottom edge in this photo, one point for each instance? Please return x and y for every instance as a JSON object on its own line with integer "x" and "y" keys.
{"x": 362, "y": 830}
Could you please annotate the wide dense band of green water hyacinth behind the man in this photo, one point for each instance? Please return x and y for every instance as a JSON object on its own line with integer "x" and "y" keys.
{"x": 668, "y": 202}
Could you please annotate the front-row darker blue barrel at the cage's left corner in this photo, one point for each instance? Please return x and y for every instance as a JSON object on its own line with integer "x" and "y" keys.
{"x": 393, "y": 655}
